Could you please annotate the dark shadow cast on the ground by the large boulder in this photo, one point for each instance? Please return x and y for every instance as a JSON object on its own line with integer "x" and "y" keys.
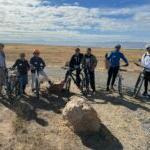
{"x": 103, "y": 140}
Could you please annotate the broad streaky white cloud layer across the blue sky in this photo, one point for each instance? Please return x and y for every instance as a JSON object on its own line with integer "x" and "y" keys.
{"x": 39, "y": 19}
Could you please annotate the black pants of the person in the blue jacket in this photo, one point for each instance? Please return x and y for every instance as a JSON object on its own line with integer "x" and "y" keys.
{"x": 112, "y": 74}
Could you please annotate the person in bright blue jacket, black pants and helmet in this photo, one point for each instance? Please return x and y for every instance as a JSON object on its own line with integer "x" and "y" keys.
{"x": 114, "y": 64}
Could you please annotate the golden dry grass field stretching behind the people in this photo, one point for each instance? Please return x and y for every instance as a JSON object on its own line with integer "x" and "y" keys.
{"x": 58, "y": 55}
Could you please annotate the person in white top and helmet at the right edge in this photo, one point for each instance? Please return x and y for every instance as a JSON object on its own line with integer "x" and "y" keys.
{"x": 145, "y": 62}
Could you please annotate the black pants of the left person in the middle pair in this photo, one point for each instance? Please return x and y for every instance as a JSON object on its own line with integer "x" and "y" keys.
{"x": 78, "y": 79}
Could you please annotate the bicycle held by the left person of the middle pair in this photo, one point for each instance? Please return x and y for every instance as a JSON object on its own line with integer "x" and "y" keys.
{"x": 72, "y": 76}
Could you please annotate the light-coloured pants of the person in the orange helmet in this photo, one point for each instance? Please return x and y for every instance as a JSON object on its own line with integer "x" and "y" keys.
{"x": 42, "y": 73}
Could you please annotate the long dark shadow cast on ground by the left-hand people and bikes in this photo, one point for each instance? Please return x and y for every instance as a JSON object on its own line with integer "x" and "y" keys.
{"x": 26, "y": 107}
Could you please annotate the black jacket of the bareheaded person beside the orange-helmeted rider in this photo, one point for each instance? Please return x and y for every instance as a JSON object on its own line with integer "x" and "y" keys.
{"x": 22, "y": 66}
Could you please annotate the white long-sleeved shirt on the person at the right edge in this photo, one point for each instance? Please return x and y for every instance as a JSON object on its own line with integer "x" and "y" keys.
{"x": 146, "y": 61}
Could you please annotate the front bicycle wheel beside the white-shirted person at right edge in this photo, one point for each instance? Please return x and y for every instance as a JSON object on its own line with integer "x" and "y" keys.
{"x": 138, "y": 85}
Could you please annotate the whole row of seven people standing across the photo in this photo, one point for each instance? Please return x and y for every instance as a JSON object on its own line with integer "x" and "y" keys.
{"x": 78, "y": 61}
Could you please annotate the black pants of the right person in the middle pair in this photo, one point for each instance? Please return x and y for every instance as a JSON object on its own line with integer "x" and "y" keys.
{"x": 90, "y": 79}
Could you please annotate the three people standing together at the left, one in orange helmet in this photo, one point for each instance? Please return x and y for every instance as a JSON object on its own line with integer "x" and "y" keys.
{"x": 23, "y": 66}
